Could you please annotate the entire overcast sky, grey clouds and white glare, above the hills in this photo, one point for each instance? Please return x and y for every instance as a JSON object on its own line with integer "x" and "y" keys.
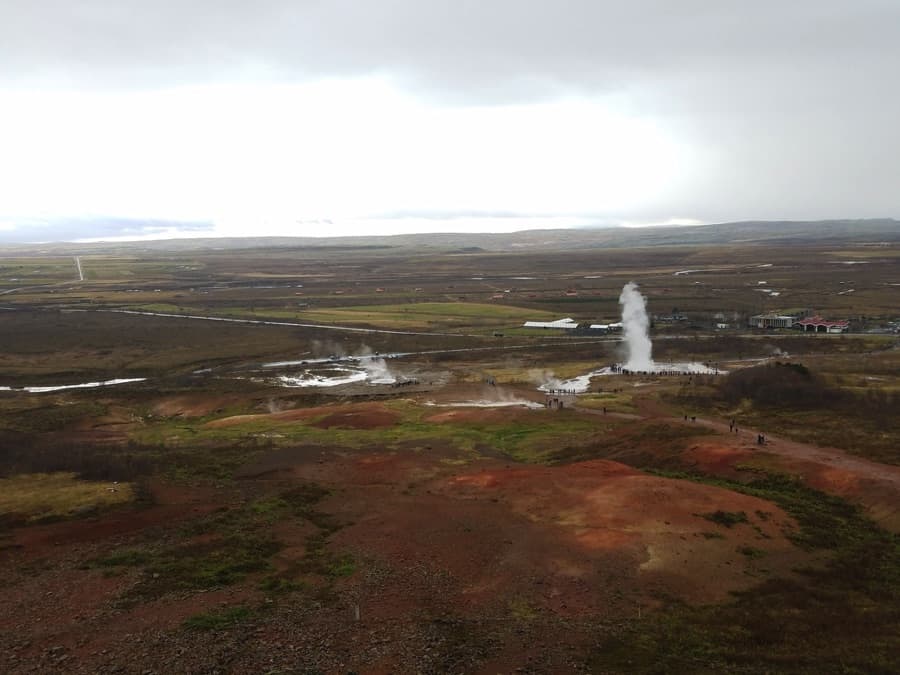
{"x": 318, "y": 117}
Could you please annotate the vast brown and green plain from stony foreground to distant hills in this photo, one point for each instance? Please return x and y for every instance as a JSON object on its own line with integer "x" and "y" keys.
{"x": 432, "y": 525}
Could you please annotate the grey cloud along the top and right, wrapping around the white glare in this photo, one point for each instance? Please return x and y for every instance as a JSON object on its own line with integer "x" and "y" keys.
{"x": 794, "y": 104}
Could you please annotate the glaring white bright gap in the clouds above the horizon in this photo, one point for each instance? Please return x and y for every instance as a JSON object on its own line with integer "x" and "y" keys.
{"x": 352, "y": 152}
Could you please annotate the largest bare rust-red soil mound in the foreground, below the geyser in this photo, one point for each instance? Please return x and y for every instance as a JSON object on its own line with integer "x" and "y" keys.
{"x": 592, "y": 533}
